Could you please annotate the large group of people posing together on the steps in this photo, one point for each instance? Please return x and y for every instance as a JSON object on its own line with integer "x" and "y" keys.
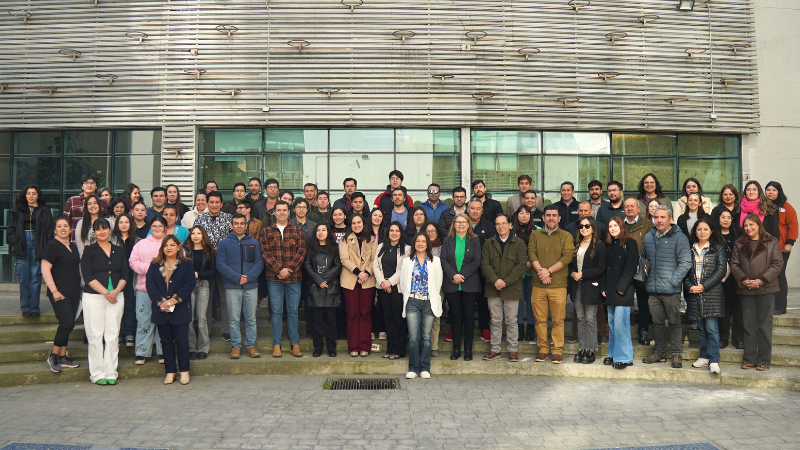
{"x": 161, "y": 274}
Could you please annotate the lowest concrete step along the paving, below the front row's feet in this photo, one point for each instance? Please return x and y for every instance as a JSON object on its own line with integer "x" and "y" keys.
{"x": 37, "y": 373}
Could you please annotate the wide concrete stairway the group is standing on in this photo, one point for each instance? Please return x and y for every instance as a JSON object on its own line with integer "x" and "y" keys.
{"x": 26, "y": 342}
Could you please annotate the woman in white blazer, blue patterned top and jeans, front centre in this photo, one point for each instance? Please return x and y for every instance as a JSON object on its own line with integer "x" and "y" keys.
{"x": 420, "y": 283}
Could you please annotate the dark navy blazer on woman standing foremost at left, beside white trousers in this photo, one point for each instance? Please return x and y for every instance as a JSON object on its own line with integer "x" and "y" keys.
{"x": 181, "y": 284}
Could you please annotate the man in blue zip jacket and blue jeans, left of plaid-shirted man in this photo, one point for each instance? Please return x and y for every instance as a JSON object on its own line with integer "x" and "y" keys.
{"x": 239, "y": 262}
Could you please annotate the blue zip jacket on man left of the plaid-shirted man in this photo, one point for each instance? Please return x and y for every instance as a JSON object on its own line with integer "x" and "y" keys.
{"x": 236, "y": 258}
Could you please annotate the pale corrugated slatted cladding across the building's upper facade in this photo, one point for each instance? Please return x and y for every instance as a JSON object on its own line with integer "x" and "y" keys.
{"x": 183, "y": 64}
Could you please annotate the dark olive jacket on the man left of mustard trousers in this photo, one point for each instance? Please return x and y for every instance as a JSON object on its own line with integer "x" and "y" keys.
{"x": 508, "y": 266}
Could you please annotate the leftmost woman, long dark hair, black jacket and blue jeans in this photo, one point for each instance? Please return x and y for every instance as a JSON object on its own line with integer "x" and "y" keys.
{"x": 30, "y": 228}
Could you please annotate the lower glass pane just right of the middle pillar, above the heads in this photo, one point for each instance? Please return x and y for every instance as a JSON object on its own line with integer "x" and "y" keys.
{"x": 500, "y": 172}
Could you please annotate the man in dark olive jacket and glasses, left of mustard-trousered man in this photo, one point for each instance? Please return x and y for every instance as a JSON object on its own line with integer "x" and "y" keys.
{"x": 504, "y": 259}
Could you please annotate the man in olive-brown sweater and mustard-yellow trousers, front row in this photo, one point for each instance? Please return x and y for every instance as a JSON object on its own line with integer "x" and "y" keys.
{"x": 550, "y": 251}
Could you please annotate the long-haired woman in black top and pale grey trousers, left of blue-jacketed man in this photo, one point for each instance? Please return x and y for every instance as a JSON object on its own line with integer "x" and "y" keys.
{"x": 199, "y": 250}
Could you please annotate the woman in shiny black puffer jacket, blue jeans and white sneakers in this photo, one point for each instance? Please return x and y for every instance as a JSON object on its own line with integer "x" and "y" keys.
{"x": 705, "y": 300}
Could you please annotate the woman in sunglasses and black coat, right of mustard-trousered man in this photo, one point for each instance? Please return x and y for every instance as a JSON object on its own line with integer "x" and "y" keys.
{"x": 586, "y": 272}
